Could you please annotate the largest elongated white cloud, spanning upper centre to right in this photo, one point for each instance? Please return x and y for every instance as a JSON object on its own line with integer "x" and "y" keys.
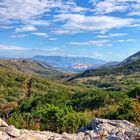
{"x": 79, "y": 22}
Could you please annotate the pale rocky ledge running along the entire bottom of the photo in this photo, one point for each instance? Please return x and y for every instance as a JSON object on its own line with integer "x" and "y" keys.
{"x": 98, "y": 129}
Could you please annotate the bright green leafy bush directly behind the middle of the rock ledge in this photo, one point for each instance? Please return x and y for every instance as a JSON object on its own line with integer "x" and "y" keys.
{"x": 58, "y": 119}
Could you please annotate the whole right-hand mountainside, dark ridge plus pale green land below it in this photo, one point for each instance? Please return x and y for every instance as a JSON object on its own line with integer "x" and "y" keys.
{"x": 124, "y": 76}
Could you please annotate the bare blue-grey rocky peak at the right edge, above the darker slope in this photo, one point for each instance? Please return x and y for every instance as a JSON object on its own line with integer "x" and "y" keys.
{"x": 133, "y": 58}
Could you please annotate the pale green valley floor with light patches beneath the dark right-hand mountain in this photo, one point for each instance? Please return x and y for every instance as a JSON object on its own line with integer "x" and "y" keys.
{"x": 112, "y": 82}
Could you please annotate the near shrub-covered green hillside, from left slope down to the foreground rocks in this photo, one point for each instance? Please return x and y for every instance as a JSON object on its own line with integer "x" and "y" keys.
{"x": 61, "y": 107}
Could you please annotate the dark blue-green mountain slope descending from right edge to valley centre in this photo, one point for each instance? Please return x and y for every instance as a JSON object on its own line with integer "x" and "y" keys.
{"x": 128, "y": 66}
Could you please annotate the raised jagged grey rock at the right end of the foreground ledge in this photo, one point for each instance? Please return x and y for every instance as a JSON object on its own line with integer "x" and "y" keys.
{"x": 113, "y": 128}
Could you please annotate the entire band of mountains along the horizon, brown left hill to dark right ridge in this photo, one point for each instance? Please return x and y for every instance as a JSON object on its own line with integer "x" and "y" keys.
{"x": 52, "y": 66}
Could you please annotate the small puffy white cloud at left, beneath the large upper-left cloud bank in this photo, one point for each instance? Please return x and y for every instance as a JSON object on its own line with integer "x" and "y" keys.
{"x": 26, "y": 28}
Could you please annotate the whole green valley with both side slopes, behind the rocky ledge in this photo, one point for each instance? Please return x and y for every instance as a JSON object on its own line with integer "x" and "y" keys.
{"x": 70, "y": 99}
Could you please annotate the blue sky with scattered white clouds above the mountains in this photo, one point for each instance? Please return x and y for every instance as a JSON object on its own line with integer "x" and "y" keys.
{"x": 102, "y": 29}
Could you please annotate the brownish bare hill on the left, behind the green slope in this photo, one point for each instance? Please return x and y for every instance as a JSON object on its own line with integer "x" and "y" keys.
{"x": 31, "y": 66}
